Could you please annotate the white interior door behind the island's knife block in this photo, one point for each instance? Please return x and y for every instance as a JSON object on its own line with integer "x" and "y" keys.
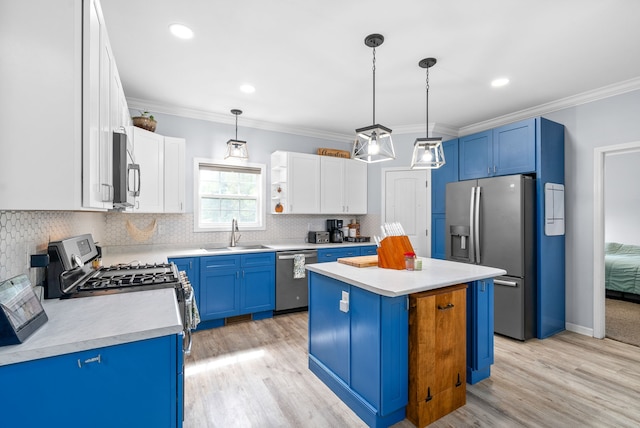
{"x": 406, "y": 200}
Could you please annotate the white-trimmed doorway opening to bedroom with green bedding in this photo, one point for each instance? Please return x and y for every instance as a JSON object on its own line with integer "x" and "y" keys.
{"x": 620, "y": 288}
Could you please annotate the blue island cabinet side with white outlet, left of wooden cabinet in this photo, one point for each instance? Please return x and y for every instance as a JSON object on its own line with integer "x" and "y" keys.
{"x": 358, "y": 346}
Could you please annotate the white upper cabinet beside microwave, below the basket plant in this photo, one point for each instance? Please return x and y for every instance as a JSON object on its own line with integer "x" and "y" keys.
{"x": 148, "y": 152}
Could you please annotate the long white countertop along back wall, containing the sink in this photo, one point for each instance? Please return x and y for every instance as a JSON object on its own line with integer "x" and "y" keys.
{"x": 161, "y": 253}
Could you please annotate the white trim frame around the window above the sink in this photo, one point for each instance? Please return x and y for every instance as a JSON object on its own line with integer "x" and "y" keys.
{"x": 262, "y": 202}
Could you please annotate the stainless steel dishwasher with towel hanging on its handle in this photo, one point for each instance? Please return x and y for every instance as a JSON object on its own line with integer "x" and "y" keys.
{"x": 292, "y": 294}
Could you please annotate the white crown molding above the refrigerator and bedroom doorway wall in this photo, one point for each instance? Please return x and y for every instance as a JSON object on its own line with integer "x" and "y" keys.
{"x": 572, "y": 101}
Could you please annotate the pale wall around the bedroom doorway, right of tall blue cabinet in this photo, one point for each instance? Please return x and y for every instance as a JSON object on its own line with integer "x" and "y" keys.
{"x": 600, "y": 123}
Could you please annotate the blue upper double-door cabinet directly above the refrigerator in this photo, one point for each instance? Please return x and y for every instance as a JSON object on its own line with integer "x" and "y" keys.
{"x": 509, "y": 149}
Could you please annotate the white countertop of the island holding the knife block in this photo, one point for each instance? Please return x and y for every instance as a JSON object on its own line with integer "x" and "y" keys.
{"x": 435, "y": 274}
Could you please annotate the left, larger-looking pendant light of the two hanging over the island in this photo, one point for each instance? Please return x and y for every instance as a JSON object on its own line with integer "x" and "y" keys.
{"x": 373, "y": 143}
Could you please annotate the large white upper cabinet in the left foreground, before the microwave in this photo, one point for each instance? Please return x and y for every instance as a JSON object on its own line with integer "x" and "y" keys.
{"x": 57, "y": 81}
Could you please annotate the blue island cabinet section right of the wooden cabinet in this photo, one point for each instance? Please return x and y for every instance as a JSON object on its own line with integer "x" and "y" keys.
{"x": 479, "y": 330}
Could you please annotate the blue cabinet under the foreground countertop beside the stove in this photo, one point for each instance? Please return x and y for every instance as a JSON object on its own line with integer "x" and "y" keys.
{"x": 137, "y": 384}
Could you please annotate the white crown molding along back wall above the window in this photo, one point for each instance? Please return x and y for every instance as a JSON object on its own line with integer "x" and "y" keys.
{"x": 145, "y": 105}
